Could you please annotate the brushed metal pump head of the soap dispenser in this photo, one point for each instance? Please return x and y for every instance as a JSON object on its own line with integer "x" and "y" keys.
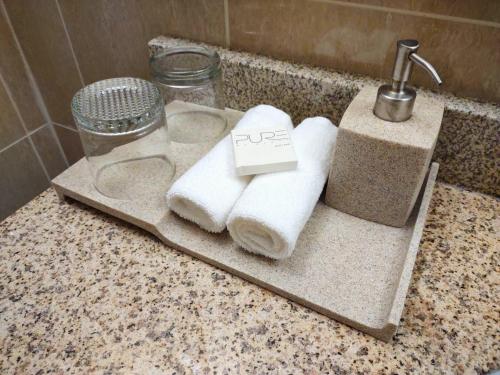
{"x": 395, "y": 102}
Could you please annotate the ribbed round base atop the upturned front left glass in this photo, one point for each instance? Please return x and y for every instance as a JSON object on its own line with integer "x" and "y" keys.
{"x": 117, "y": 106}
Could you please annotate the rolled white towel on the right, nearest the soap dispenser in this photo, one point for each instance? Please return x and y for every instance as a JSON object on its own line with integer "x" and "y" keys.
{"x": 271, "y": 213}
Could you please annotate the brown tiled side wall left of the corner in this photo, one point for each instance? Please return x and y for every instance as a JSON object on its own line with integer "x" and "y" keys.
{"x": 30, "y": 153}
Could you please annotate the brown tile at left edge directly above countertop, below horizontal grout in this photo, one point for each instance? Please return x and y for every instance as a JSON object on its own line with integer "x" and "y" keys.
{"x": 22, "y": 177}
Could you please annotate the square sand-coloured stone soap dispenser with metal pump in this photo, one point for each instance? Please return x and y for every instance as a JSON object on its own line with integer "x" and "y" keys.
{"x": 384, "y": 146}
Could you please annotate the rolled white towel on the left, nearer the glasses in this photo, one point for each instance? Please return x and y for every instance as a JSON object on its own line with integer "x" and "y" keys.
{"x": 207, "y": 192}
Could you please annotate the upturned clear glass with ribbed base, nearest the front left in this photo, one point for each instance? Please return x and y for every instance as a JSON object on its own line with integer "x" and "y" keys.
{"x": 121, "y": 122}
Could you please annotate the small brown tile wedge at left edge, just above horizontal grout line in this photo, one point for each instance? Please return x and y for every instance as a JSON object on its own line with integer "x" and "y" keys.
{"x": 10, "y": 125}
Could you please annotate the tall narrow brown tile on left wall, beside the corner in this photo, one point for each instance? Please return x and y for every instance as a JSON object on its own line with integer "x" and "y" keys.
{"x": 16, "y": 78}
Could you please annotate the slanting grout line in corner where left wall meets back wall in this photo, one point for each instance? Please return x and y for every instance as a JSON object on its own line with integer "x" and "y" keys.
{"x": 33, "y": 83}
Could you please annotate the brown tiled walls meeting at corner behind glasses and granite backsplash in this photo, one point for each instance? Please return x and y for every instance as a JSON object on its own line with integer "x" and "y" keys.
{"x": 67, "y": 44}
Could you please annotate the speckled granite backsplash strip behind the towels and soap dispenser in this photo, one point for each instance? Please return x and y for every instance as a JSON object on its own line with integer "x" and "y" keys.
{"x": 468, "y": 147}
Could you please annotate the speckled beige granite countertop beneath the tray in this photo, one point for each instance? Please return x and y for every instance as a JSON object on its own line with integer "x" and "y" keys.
{"x": 81, "y": 292}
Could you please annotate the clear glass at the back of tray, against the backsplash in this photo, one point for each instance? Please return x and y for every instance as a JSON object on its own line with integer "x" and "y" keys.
{"x": 190, "y": 80}
